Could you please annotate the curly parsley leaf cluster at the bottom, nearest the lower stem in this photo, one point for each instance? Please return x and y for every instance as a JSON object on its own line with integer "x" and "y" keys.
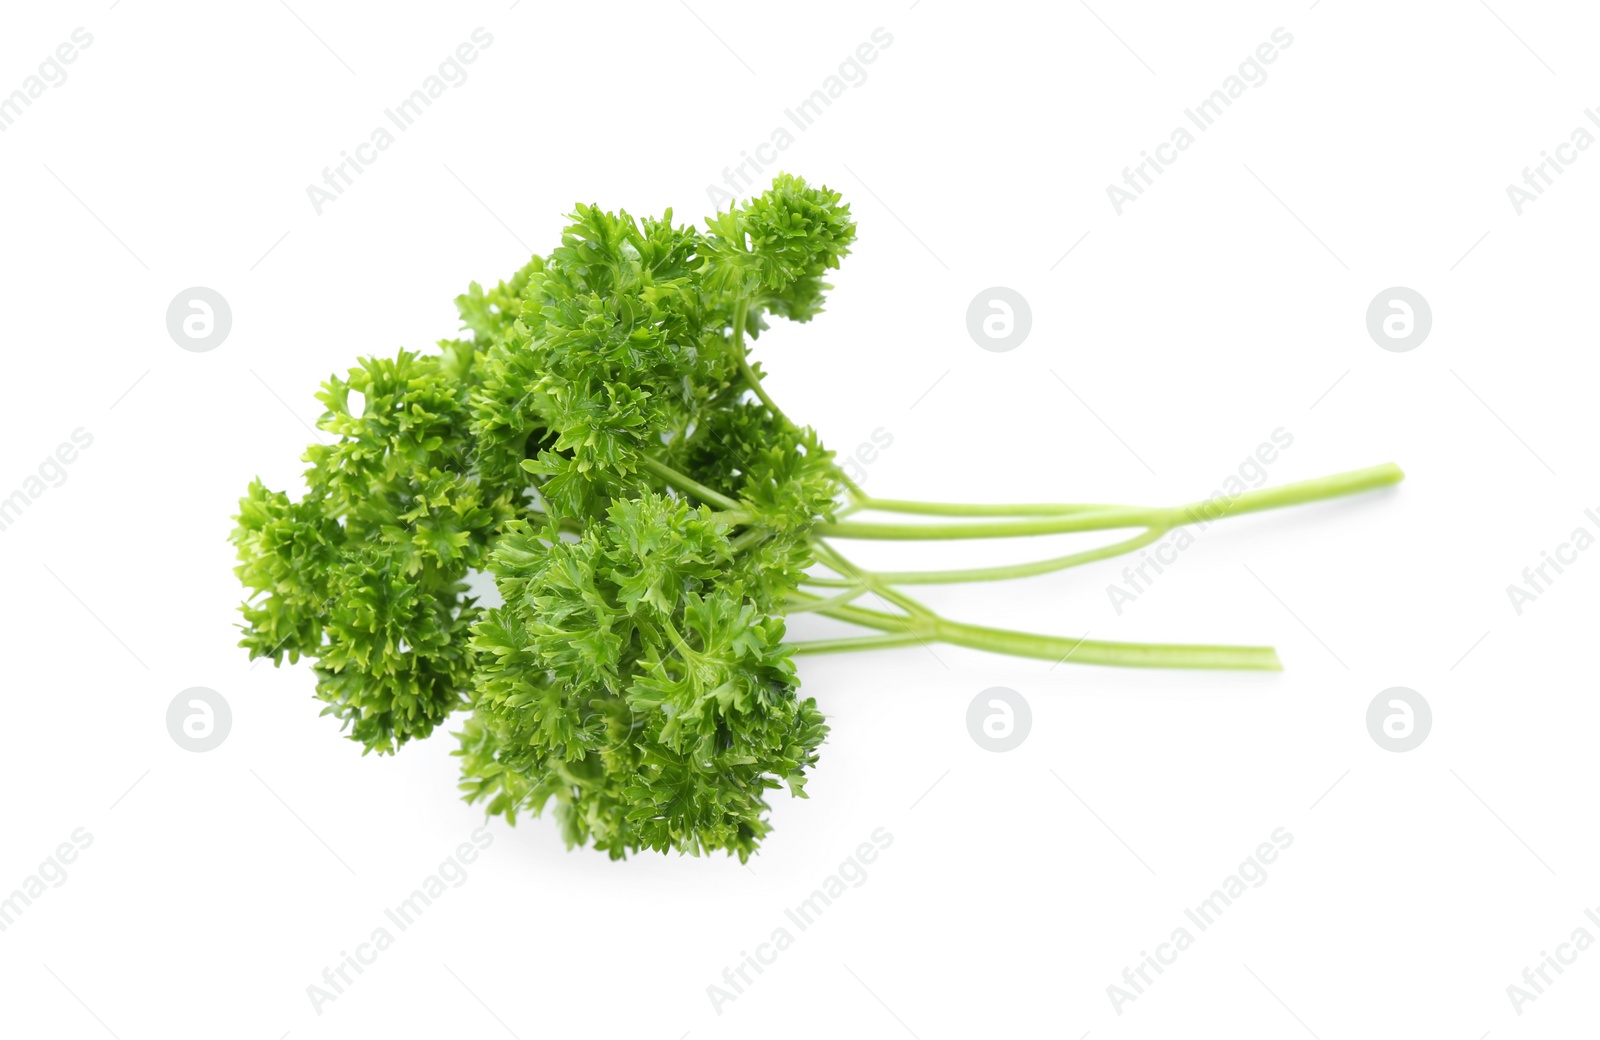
{"x": 636, "y": 684}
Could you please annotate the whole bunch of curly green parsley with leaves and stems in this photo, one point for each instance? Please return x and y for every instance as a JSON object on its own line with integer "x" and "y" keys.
{"x": 604, "y": 446}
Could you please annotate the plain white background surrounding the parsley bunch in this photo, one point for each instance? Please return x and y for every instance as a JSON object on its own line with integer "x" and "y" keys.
{"x": 1220, "y": 306}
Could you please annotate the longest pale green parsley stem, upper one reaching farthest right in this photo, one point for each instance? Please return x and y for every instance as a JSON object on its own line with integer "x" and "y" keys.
{"x": 1126, "y": 516}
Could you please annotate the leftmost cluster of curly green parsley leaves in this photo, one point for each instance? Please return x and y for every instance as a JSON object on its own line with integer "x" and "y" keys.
{"x": 366, "y": 574}
